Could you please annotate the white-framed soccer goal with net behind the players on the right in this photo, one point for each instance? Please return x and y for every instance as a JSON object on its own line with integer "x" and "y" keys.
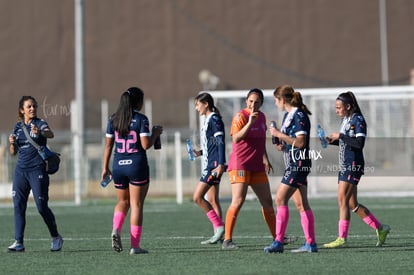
{"x": 389, "y": 112}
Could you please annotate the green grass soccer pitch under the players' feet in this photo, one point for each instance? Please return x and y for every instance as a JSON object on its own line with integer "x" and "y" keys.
{"x": 172, "y": 234}
